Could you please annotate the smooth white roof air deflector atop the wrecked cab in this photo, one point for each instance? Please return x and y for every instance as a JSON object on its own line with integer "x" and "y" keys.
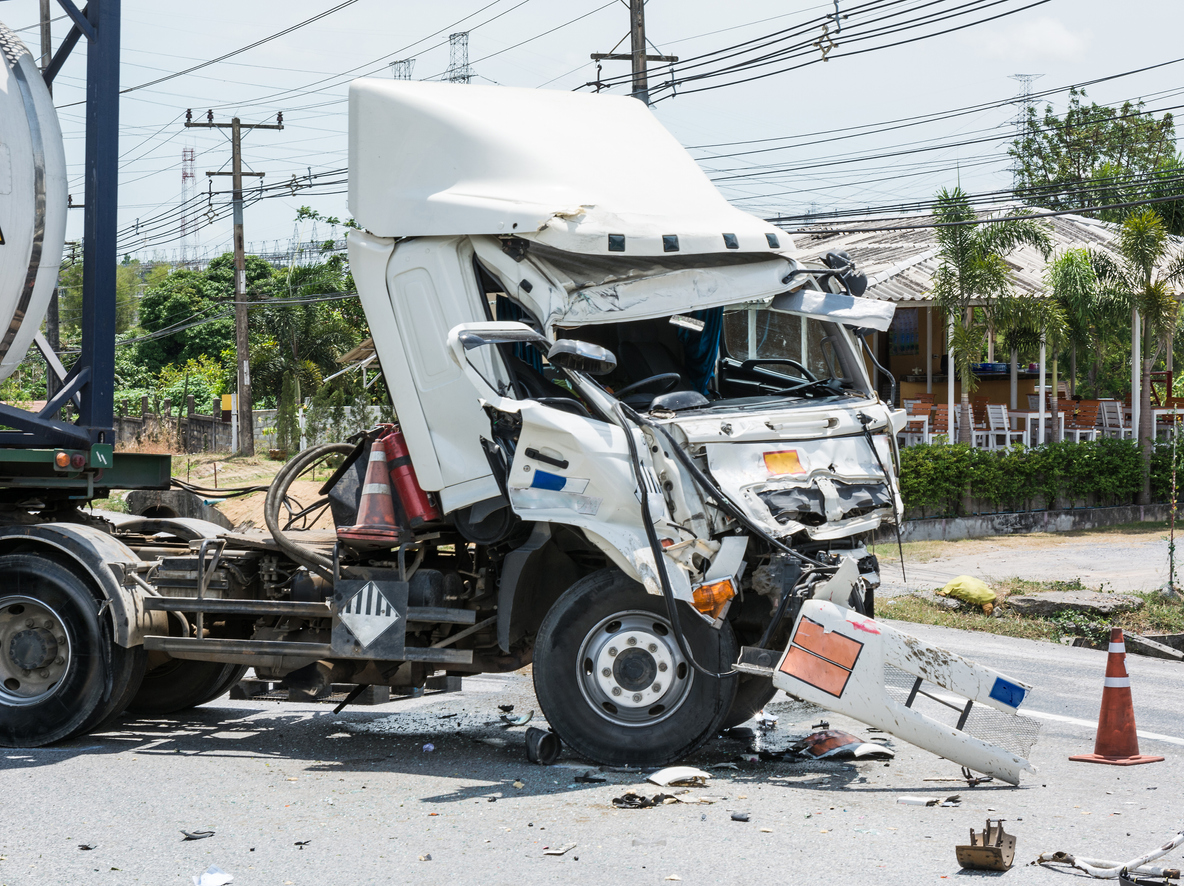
{"x": 562, "y": 169}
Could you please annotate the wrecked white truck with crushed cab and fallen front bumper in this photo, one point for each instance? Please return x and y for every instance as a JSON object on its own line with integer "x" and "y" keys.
{"x": 638, "y": 448}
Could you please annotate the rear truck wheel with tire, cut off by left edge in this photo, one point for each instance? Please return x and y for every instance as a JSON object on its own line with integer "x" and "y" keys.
{"x": 63, "y": 675}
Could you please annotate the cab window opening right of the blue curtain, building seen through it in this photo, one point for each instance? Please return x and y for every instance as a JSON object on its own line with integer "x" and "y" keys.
{"x": 774, "y": 349}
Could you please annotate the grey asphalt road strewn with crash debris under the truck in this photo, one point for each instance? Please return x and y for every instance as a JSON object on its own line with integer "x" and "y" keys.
{"x": 369, "y": 804}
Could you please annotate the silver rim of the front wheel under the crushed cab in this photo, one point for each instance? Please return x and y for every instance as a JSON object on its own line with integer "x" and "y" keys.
{"x": 632, "y": 671}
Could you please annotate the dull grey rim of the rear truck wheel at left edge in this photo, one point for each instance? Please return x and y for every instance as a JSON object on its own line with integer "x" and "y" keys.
{"x": 35, "y": 651}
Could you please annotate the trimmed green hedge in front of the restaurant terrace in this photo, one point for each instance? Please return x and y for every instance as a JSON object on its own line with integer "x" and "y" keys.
{"x": 958, "y": 480}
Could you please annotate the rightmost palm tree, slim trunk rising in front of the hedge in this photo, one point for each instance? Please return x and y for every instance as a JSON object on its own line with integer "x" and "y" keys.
{"x": 1142, "y": 277}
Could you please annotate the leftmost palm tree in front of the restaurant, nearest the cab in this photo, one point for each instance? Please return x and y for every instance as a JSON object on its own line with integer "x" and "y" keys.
{"x": 973, "y": 272}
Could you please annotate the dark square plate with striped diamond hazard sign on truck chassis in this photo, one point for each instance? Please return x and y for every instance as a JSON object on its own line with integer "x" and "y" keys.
{"x": 370, "y": 619}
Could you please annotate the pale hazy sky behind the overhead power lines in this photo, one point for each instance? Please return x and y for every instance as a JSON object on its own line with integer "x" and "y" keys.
{"x": 802, "y": 164}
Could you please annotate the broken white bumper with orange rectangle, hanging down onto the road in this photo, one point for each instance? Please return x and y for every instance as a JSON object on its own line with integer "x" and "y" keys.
{"x": 865, "y": 670}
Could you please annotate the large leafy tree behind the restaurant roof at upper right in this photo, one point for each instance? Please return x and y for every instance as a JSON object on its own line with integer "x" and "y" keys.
{"x": 1097, "y": 156}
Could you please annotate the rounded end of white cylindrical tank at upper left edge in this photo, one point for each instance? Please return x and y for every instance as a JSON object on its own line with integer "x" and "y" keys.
{"x": 33, "y": 200}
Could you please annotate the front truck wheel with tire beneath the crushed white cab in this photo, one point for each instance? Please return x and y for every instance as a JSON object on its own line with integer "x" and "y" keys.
{"x": 636, "y": 726}
